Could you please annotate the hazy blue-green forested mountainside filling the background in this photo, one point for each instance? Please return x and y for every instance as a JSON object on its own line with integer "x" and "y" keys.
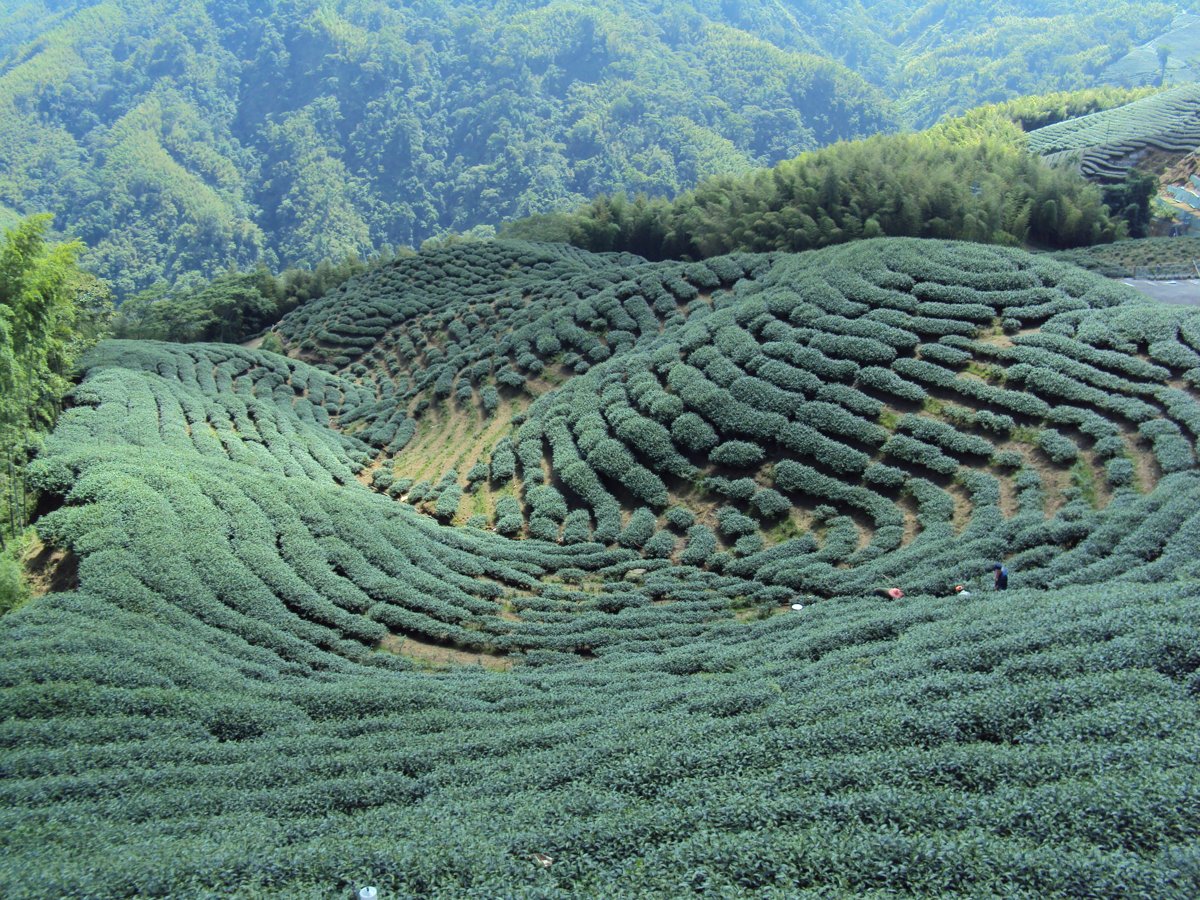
{"x": 189, "y": 137}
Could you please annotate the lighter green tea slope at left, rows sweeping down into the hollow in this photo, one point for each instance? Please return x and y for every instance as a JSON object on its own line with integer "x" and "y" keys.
{"x": 247, "y": 495}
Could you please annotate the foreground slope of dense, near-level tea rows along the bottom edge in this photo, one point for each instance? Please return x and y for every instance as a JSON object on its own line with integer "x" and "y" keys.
{"x": 1053, "y": 734}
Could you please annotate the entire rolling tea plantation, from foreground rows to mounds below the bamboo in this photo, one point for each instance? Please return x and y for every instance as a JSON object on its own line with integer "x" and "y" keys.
{"x": 538, "y": 573}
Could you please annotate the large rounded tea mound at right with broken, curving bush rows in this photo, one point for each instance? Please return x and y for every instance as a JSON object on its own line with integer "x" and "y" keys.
{"x": 730, "y": 398}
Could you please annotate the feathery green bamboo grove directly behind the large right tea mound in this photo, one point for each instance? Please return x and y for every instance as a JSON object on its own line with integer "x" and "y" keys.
{"x": 968, "y": 179}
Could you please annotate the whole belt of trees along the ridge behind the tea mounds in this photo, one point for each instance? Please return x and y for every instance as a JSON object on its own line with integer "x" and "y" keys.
{"x": 969, "y": 178}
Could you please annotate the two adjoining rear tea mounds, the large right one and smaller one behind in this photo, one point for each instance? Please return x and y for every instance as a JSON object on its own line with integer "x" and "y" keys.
{"x": 887, "y": 412}
